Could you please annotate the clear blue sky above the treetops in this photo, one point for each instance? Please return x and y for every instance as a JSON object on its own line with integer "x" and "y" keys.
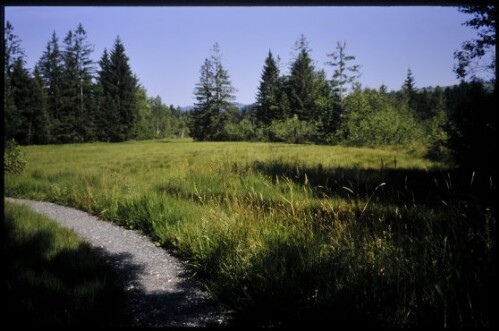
{"x": 167, "y": 45}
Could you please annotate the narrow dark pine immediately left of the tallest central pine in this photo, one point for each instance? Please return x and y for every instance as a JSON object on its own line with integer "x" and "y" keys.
{"x": 268, "y": 107}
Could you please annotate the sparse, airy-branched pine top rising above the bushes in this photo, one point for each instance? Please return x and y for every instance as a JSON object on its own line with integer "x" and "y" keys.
{"x": 343, "y": 74}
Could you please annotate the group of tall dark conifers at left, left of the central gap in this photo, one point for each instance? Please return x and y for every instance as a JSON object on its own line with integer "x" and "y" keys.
{"x": 67, "y": 98}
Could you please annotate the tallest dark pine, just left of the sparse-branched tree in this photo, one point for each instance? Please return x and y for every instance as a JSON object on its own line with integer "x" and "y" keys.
{"x": 301, "y": 82}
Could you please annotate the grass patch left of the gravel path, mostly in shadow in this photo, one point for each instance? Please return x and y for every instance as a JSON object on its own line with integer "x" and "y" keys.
{"x": 53, "y": 278}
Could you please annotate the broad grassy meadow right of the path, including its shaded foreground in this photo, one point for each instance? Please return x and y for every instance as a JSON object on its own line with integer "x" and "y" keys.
{"x": 294, "y": 234}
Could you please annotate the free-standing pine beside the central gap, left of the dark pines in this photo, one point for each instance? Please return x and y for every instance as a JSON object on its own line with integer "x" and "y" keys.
{"x": 214, "y": 95}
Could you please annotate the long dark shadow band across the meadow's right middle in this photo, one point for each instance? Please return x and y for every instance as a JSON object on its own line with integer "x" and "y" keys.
{"x": 402, "y": 186}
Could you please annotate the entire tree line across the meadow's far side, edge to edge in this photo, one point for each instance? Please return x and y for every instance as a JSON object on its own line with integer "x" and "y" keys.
{"x": 67, "y": 98}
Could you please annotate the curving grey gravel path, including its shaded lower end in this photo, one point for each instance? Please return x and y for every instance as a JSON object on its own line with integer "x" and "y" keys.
{"x": 158, "y": 289}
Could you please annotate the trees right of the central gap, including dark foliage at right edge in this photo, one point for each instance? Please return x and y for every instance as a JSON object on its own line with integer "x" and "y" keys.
{"x": 304, "y": 106}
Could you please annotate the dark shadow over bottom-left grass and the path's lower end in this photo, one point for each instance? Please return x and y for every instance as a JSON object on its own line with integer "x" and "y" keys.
{"x": 87, "y": 286}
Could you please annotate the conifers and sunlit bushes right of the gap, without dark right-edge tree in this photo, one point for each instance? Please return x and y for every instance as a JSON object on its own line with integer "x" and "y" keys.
{"x": 304, "y": 106}
